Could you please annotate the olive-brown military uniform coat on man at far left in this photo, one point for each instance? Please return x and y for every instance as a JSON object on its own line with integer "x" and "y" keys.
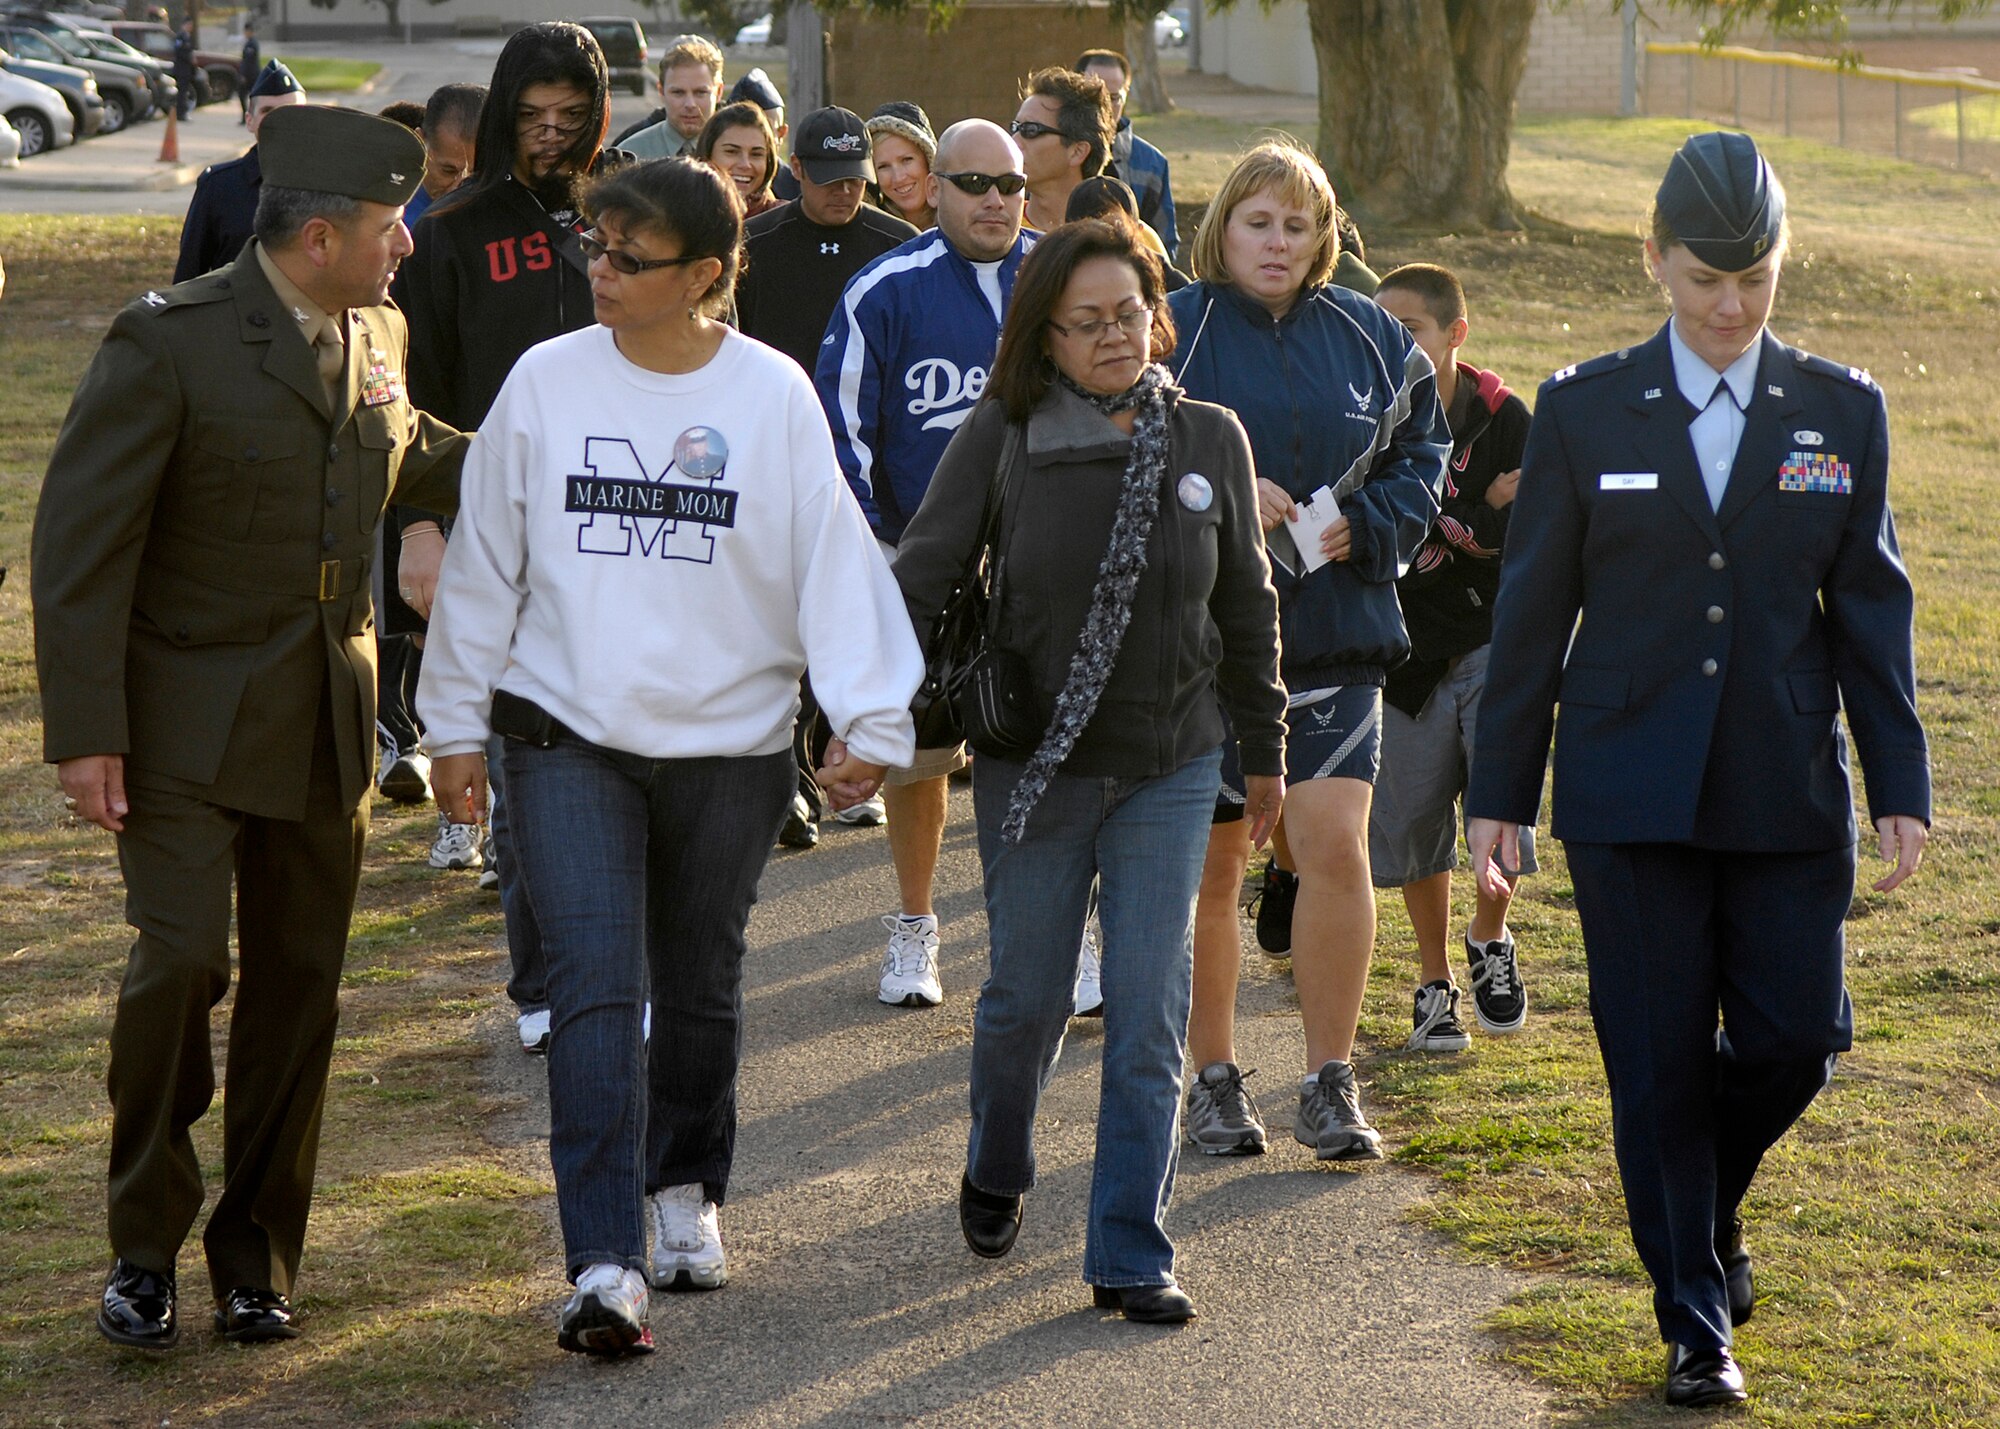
{"x": 205, "y": 537}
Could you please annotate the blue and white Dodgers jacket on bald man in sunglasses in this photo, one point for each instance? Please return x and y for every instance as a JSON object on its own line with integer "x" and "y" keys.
{"x": 903, "y": 361}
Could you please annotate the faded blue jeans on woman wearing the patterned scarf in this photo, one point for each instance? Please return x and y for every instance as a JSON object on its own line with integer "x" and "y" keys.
{"x": 1143, "y": 844}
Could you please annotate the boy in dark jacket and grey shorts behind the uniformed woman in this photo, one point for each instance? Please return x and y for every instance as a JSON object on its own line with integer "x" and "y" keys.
{"x": 1433, "y": 699}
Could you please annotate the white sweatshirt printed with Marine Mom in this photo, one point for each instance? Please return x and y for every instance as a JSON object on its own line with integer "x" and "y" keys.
{"x": 655, "y": 561}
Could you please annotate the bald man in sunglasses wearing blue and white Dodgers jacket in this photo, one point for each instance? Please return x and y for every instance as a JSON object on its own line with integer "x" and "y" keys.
{"x": 901, "y": 367}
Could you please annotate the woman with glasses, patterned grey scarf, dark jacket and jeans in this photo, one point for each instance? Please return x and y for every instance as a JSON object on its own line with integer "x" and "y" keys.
{"x": 1135, "y": 587}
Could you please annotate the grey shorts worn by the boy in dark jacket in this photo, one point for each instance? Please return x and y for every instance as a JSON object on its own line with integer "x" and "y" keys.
{"x": 1413, "y": 830}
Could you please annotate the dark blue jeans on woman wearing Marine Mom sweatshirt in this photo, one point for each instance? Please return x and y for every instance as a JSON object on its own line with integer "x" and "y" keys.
{"x": 641, "y": 870}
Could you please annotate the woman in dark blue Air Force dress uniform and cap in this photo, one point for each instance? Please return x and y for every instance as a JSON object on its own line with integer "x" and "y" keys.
{"x": 1707, "y": 515}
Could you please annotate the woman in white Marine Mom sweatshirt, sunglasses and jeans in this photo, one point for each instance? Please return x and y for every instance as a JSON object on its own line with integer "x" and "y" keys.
{"x": 655, "y": 541}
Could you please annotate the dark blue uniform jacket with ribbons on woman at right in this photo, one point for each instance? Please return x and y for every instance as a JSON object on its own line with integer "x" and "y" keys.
{"x": 1715, "y": 649}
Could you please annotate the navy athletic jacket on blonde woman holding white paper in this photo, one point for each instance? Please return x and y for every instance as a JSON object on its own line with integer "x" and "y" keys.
{"x": 1335, "y": 393}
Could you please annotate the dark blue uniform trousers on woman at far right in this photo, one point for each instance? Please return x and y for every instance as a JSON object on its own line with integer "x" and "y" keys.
{"x": 1677, "y": 938}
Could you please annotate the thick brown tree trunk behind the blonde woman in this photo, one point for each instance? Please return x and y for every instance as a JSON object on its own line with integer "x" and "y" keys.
{"x": 1417, "y": 107}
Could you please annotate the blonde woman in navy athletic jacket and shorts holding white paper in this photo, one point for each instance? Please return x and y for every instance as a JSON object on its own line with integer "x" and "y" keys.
{"x": 1341, "y": 403}
